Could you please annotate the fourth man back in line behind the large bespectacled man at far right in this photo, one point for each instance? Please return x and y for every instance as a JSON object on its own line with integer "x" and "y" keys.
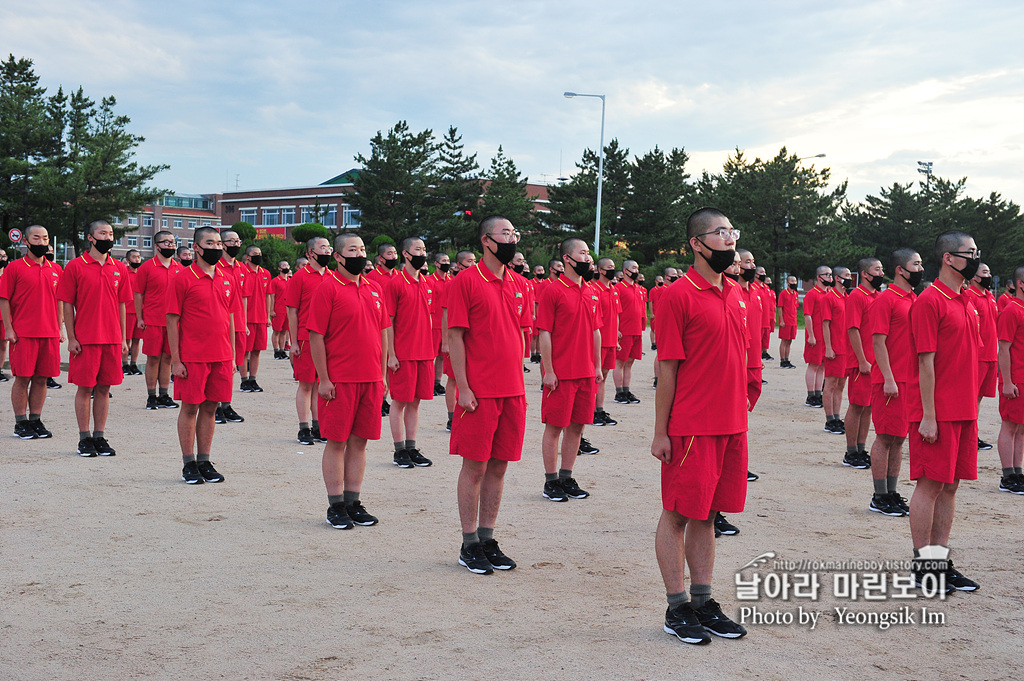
{"x": 837, "y": 346}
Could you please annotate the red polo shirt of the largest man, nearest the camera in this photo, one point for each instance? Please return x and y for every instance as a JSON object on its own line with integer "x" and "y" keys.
{"x": 706, "y": 330}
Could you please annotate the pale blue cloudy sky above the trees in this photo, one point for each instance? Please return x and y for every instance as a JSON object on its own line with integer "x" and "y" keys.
{"x": 265, "y": 95}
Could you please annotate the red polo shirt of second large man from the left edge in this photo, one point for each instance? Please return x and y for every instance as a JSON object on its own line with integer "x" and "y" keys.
{"x": 97, "y": 292}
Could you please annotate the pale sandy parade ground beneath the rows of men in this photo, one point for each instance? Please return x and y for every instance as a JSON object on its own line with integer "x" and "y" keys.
{"x": 114, "y": 569}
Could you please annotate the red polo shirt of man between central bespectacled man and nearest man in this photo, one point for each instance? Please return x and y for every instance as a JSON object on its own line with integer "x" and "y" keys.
{"x": 571, "y": 314}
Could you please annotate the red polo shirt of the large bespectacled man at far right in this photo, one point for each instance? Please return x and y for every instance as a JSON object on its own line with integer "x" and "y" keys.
{"x": 946, "y": 323}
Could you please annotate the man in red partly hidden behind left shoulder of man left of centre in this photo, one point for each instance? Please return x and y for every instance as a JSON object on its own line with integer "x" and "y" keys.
{"x": 301, "y": 294}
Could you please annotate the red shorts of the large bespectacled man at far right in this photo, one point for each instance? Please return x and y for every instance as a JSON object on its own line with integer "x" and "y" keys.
{"x": 954, "y": 456}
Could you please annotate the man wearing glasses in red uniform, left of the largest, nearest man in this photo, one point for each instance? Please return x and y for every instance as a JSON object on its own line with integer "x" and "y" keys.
{"x": 486, "y": 317}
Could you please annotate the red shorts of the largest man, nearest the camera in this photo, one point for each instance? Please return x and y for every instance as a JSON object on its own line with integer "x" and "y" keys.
{"x": 706, "y": 474}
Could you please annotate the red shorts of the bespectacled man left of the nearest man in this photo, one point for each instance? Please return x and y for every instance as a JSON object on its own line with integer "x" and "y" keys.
{"x": 495, "y": 431}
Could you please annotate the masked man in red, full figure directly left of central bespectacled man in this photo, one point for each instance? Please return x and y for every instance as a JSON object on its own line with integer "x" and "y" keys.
{"x": 349, "y": 342}
